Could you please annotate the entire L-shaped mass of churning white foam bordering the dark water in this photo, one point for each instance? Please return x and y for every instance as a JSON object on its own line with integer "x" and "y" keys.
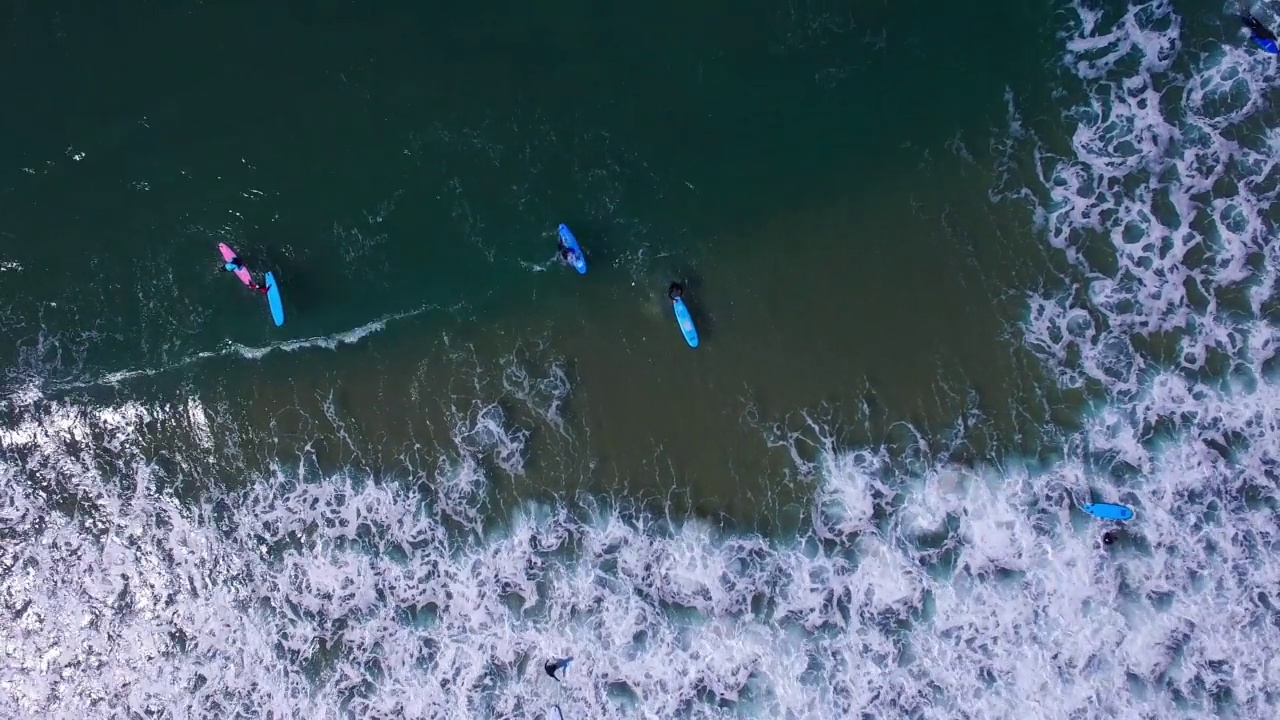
{"x": 938, "y": 594}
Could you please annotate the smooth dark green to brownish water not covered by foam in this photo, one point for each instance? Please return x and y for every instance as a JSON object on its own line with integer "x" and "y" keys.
{"x": 816, "y": 174}
